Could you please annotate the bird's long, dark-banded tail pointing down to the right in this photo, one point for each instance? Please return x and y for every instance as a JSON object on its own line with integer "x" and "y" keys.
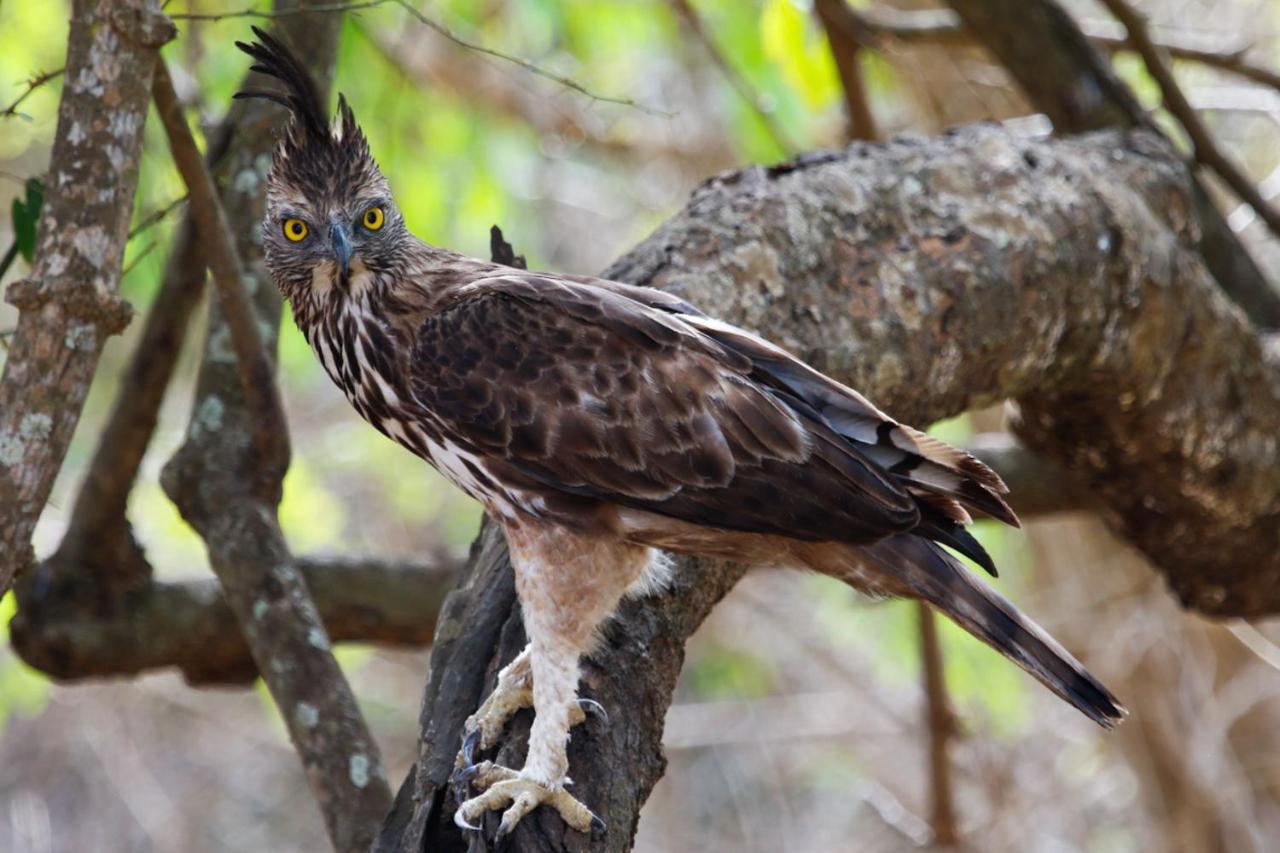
{"x": 940, "y": 580}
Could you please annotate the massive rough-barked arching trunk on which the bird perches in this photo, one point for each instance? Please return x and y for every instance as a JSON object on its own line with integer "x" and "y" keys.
{"x": 902, "y": 270}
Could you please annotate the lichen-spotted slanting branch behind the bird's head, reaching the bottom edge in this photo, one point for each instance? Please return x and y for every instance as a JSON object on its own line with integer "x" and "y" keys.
{"x": 226, "y": 480}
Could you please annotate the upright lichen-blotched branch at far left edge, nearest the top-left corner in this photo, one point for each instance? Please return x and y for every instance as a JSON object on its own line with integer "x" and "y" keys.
{"x": 70, "y": 304}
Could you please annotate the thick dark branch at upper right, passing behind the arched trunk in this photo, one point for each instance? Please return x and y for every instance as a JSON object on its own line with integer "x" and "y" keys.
{"x": 1044, "y": 49}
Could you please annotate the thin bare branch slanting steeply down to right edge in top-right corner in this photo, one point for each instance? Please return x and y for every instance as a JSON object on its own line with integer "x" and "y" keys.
{"x": 1204, "y": 145}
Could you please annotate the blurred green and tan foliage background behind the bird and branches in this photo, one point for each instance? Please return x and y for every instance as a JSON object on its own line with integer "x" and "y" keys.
{"x": 801, "y": 720}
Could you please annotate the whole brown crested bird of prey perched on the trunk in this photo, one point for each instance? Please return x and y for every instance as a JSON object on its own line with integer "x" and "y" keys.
{"x": 602, "y": 425}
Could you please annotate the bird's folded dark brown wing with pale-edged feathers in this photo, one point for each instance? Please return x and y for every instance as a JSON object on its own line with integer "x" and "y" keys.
{"x": 595, "y": 394}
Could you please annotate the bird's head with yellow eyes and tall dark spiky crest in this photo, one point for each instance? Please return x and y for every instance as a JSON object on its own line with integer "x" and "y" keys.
{"x": 330, "y": 213}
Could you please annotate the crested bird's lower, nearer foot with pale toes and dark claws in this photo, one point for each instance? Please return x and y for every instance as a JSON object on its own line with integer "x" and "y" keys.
{"x": 505, "y": 788}
